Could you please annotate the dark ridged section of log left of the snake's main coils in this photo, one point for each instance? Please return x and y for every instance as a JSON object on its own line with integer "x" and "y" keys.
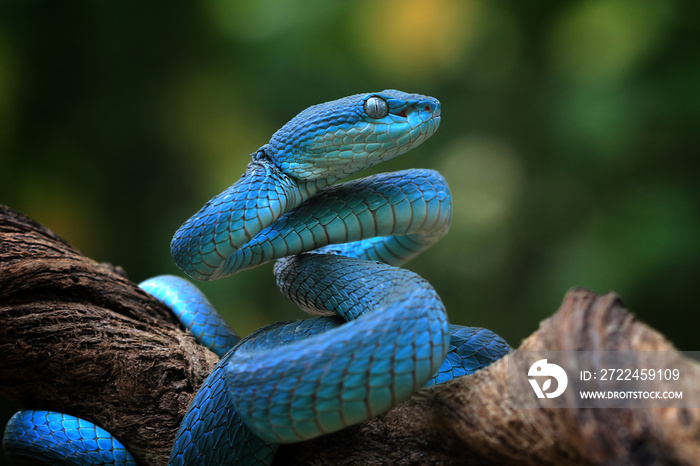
{"x": 77, "y": 337}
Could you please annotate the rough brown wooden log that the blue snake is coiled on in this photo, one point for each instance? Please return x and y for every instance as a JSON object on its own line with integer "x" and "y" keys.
{"x": 77, "y": 337}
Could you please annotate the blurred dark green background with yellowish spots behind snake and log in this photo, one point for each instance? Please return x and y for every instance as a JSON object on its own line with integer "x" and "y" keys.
{"x": 569, "y": 136}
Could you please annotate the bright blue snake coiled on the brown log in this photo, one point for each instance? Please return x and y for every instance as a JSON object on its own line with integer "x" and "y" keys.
{"x": 379, "y": 332}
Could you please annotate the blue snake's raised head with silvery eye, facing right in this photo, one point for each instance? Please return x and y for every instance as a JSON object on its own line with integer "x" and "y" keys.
{"x": 338, "y": 138}
